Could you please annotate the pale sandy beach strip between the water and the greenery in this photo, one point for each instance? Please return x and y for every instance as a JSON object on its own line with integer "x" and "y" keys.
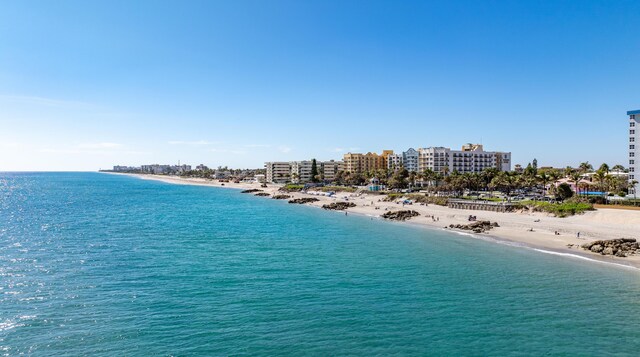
{"x": 514, "y": 227}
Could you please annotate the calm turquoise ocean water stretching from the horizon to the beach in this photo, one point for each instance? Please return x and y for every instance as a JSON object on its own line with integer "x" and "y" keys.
{"x": 105, "y": 265}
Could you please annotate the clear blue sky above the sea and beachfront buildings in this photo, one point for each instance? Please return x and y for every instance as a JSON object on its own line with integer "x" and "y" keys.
{"x": 86, "y": 85}
